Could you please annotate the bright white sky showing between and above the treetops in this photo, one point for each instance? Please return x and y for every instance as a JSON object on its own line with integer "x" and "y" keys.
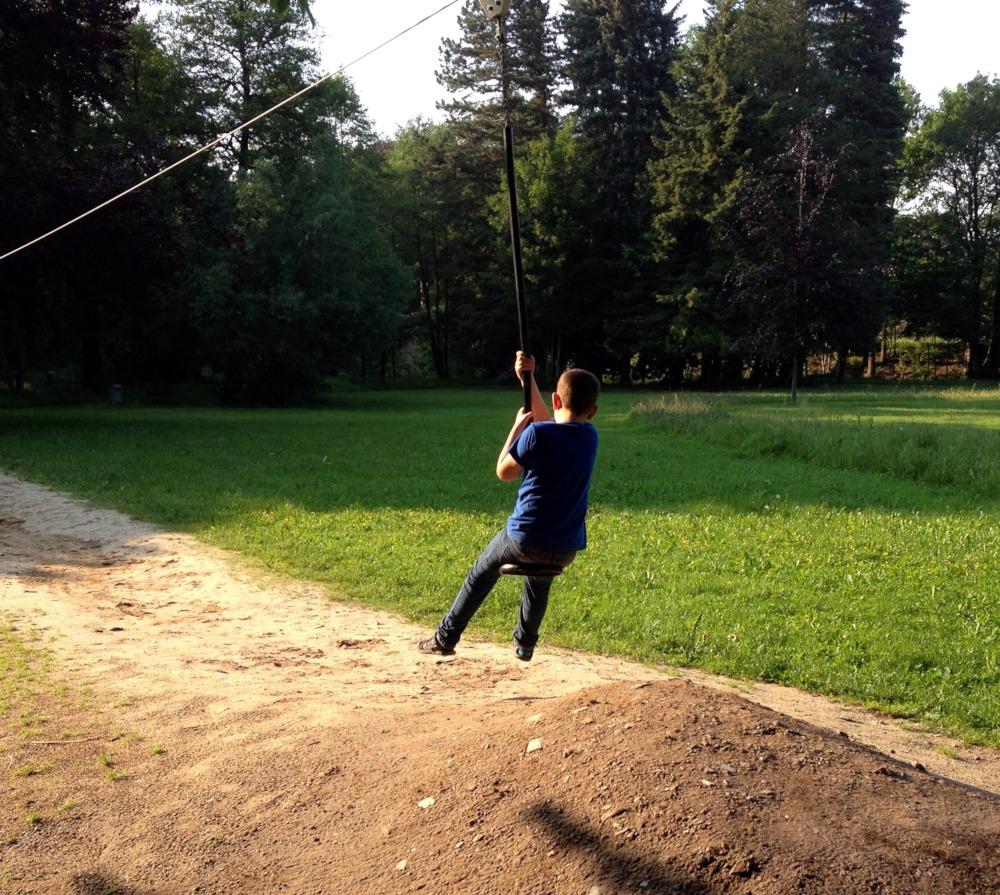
{"x": 947, "y": 44}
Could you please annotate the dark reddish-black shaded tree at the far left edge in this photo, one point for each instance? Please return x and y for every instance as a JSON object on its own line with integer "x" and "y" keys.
{"x": 60, "y": 68}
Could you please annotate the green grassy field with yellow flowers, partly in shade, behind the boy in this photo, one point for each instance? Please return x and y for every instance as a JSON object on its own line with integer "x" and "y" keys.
{"x": 847, "y": 545}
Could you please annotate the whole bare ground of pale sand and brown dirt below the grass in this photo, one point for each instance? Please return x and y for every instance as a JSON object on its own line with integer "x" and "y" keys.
{"x": 247, "y": 735}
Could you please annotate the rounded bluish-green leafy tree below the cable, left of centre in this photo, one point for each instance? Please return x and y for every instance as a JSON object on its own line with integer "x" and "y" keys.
{"x": 324, "y": 291}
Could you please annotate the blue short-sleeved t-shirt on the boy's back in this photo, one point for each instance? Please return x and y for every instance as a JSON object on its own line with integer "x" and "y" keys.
{"x": 551, "y": 508}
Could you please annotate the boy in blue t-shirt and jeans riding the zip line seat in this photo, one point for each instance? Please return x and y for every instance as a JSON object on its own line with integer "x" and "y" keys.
{"x": 548, "y": 525}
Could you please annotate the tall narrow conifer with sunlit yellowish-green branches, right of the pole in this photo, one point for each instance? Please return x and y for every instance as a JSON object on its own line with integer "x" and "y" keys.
{"x": 694, "y": 178}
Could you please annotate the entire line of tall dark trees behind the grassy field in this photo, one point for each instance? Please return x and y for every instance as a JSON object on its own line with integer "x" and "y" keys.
{"x": 709, "y": 206}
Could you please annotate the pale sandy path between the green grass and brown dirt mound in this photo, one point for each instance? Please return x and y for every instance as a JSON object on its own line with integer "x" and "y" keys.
{"x": 187, "y": 632}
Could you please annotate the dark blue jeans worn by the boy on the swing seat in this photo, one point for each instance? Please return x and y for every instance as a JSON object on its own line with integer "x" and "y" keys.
{"x": 485, "y": 574}
